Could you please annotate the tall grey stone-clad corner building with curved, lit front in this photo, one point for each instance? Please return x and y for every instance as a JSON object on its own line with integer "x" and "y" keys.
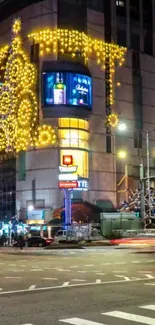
{"x": 65, "y": 71}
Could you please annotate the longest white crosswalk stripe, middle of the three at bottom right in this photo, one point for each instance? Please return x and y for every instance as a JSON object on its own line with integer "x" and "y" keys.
{"x": 131, "y": 317}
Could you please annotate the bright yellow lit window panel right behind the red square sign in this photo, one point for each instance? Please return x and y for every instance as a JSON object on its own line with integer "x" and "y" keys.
{"x": 80, "y": 159}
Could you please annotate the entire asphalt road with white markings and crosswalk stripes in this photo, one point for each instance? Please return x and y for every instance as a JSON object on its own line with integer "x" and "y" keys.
{"x": 91, "y": 288}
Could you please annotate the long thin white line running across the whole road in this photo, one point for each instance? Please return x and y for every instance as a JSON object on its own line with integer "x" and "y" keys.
{"x": 72, "y": 285}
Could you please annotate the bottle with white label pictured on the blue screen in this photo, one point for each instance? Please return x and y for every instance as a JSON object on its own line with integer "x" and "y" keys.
{"x": 59, "y": 90}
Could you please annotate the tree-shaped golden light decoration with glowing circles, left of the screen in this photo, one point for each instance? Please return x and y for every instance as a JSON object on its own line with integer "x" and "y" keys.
{"x": 18, "y": 104}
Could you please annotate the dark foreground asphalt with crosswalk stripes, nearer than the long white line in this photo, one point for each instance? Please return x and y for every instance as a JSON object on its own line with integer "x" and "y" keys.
{"x": 108, "y": 305}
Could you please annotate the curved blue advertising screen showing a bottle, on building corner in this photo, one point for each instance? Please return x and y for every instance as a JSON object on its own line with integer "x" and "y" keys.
{"x": 67, "y": 88}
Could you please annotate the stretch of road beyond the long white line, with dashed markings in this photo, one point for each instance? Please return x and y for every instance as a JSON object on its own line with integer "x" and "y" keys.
{"x": 21, "y": 273}
